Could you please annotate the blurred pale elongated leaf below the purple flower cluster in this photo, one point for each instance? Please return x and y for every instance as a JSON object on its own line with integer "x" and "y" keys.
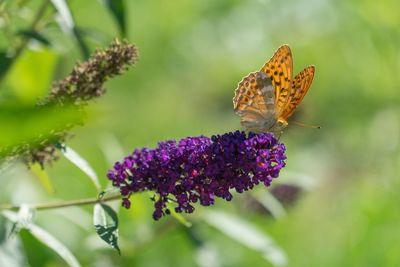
{"x": 248, "y": 235}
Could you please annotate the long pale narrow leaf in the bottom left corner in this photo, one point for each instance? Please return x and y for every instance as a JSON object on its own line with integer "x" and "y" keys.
{"x": 22, "y": 219}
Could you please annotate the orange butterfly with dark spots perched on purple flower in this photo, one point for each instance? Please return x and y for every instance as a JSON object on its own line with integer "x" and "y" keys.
{"x": 265, "y": 99}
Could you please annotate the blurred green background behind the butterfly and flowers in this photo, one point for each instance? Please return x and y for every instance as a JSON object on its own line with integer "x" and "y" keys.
{"x": 192, "y": 55}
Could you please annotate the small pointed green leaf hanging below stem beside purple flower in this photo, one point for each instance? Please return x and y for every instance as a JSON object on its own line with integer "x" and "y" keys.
{"x": 105, "y": 221}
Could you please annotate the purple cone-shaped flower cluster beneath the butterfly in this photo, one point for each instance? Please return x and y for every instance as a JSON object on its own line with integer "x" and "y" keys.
{"x": 198, "y": 169}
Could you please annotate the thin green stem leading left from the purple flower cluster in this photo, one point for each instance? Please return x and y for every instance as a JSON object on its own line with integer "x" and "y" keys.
{"x": 63, "y": 204}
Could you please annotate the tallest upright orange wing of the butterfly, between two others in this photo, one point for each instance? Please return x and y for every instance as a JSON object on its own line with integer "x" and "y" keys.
{"x": 280, "y": 70}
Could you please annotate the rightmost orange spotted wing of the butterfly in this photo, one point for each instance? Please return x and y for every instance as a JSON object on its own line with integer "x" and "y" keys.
{"x": 300, "y": 85}
